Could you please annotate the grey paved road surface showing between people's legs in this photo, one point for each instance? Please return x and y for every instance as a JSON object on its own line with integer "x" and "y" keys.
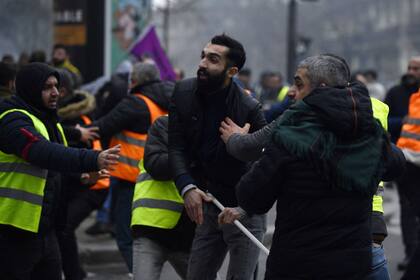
{"x": 393, "y": 247}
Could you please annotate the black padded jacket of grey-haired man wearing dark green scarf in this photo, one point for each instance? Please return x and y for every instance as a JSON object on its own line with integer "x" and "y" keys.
{"x": 321, "y": 232}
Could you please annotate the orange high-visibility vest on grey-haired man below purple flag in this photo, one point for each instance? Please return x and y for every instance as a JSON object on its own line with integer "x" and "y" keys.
{"x": 132, "y": 145}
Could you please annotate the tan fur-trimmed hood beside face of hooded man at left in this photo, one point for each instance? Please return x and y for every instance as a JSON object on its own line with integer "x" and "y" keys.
{"x": 75, "y": 105}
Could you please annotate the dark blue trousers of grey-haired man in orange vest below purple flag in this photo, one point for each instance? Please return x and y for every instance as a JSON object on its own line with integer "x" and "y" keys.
{"x": 122, "y": 198}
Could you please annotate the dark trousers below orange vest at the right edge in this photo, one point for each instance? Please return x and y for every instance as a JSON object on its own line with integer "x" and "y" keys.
{"x": 409, "y": 185}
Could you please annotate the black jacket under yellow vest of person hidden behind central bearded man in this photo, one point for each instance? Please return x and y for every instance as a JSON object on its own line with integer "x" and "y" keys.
{"x": 156, "y": 164}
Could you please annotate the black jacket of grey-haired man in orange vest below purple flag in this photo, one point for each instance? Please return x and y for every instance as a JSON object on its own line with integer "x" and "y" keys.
{"x": 132, "y": 112}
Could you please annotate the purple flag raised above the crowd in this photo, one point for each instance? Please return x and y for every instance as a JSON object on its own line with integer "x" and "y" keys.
{"x": 149, "y": 44}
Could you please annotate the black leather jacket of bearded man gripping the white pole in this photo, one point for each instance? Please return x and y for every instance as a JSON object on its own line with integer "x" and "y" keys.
{"x": 186, "y": 118}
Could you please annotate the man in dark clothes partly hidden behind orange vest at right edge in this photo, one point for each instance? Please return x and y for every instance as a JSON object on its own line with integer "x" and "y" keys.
{"x": 397, "y": 99}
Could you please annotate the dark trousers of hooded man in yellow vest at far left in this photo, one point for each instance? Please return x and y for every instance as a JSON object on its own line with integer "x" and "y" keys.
{"x": 26, "y": 256}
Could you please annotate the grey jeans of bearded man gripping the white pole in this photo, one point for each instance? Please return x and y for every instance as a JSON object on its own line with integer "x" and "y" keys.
{"x": 212, "y": 242}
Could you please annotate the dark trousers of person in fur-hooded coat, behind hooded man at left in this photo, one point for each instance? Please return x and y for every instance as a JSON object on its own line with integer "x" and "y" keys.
{"x": 79, "y": 208}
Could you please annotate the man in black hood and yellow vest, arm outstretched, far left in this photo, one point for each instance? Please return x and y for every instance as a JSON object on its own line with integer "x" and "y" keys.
{"x": 32, "y": 156}
